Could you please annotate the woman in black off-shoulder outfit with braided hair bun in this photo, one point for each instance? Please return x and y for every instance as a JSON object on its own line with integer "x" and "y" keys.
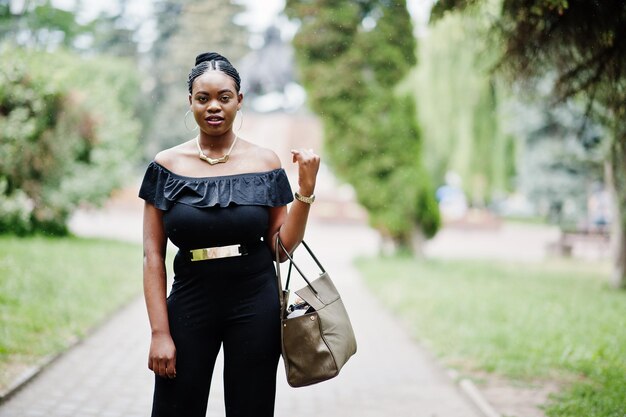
{"x": 222, "y": 201}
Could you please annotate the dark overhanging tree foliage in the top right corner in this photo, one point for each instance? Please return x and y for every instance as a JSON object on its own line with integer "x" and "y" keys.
{"x": 592, "y": 58}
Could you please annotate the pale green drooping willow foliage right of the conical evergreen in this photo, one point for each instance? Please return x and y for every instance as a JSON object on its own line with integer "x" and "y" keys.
{"x": 459, "y": 101}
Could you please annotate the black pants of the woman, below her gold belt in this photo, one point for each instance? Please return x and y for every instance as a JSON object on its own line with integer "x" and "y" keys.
{"x": 226, "y": 302}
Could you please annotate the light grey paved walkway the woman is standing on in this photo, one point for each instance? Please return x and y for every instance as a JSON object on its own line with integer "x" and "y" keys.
{"x": 106, "y": 375}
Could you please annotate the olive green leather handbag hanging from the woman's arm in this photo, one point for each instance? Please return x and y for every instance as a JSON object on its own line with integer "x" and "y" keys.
{"x": 317, "y": 336}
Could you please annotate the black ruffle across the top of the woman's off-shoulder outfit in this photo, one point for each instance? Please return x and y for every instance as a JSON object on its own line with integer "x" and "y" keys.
{"x": 163, "y": 188}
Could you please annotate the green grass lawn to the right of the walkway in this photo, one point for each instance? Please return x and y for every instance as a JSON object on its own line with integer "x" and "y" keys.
{"x": 556, "y": 320}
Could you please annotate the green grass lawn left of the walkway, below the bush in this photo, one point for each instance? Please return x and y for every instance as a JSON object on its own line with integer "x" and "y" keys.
{"x": 54, "y": 290}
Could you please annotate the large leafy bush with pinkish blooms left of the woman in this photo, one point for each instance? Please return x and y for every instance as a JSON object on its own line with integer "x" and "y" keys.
{"x": 66, "y": 137}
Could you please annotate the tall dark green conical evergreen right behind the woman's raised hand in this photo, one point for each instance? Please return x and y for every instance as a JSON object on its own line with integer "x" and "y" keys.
{"x": 351, "y": 56}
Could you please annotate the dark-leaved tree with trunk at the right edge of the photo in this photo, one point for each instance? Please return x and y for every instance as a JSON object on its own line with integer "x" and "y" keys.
{"x": 581, "y": 43}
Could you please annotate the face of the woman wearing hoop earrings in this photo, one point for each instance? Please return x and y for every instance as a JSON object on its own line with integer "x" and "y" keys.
{"x": 214, "y": 102}
